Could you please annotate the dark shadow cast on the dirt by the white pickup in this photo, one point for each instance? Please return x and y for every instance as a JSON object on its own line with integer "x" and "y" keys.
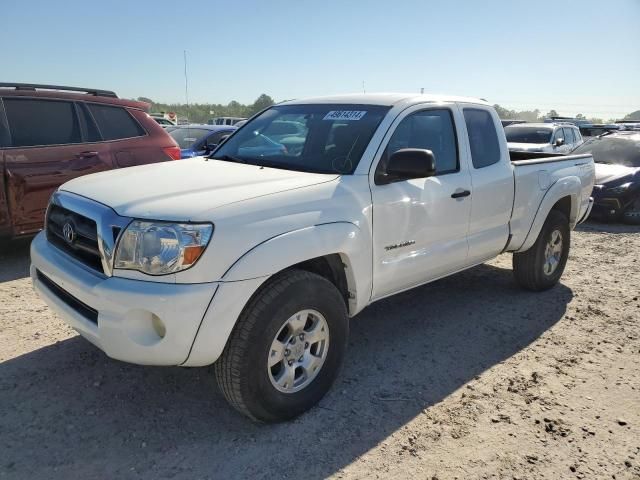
{"x": 73, "y": 413}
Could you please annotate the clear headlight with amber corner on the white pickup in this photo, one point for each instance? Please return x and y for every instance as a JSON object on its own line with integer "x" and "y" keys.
{"x": 160, "y": 248}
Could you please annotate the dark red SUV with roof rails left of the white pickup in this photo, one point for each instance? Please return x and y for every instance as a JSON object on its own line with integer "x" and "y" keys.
{"x": 51, "y": 134}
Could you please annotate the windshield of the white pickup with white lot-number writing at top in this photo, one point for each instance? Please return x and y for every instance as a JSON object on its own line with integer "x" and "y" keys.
{"x": 320, "y": 138}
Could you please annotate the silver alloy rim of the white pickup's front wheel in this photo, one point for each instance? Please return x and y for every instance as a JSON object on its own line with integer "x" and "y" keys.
{"x": 298, "y": 351}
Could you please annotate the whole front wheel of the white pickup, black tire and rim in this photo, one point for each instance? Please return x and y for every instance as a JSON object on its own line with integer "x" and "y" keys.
{"x": 243, "y": 371}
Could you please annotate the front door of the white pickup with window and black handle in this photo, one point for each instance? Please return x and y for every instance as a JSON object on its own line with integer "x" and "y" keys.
{"x": 420, "y": 226}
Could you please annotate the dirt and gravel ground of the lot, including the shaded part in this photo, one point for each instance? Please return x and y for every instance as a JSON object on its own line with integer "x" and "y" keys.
{"x": 468, "y": 377}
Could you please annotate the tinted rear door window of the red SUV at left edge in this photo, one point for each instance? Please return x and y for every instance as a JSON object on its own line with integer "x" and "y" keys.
{"x": 41, "y": 122}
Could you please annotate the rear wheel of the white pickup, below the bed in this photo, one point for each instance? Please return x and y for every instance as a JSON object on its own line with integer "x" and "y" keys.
{"x": 534, "y": 269}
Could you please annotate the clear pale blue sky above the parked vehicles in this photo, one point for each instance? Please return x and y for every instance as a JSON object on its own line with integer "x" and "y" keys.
{"x": 576, "y": 56}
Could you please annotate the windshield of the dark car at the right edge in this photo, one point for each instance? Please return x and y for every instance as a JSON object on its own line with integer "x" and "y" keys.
{"x": 619, "y": 149}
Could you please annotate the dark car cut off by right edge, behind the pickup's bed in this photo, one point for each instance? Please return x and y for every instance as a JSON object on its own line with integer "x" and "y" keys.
{"x": 616, "y": 193}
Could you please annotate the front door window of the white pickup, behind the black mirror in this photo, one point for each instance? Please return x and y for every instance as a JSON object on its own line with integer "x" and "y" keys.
{"x": 431, "y": 130}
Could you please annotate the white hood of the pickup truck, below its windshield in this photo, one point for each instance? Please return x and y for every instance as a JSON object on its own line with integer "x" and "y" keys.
{"x": 184, "y": 189}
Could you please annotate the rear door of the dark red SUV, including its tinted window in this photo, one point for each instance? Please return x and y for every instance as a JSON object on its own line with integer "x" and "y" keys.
{"x": 50, "y": 143}
